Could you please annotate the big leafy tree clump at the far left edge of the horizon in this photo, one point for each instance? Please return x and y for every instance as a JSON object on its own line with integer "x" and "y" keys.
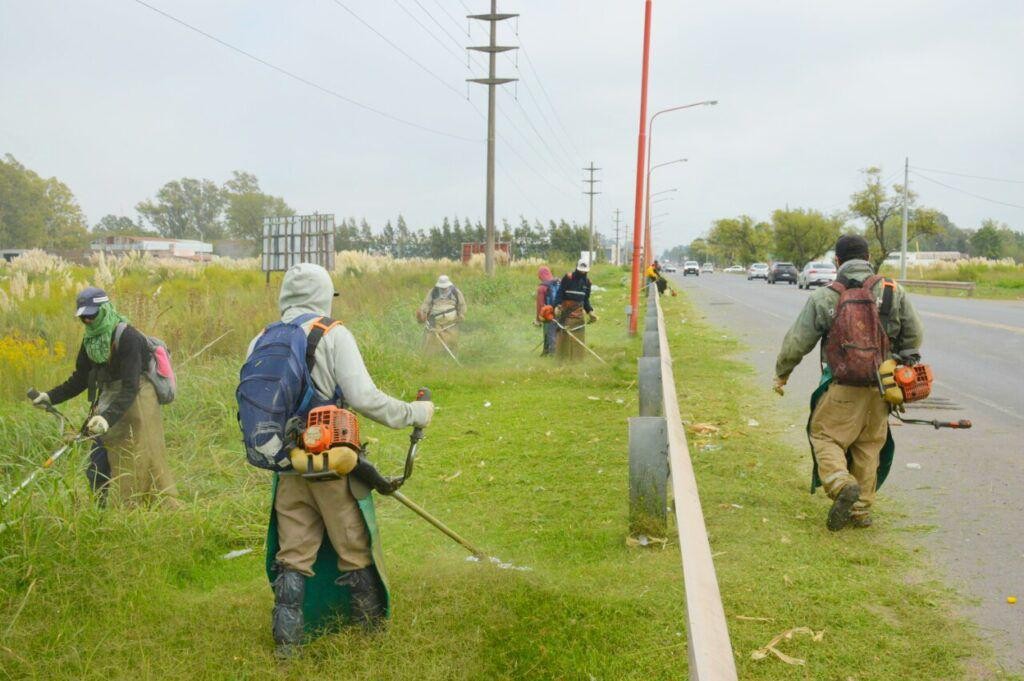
{"x": 37, "y": 212}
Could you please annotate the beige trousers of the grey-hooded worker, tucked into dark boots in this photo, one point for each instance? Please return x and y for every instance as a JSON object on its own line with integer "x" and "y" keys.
{"x": 306, "y": 510}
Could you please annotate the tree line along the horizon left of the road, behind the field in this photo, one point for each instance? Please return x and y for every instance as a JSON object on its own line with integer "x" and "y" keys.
{"x": 37, "y": 212}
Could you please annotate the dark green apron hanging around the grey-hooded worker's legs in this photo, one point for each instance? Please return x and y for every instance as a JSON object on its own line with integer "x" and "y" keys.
{"x": 327, "y": 607}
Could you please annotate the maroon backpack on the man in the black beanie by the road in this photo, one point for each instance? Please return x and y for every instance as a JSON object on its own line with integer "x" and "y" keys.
{"x": 858, "y": 343}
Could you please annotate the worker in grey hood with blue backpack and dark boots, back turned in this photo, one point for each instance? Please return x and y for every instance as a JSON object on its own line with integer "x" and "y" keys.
{"x": 330, "y": 524}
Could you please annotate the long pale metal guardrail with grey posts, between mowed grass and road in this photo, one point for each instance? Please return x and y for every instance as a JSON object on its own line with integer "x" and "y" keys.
{"x": 711, "y": 654}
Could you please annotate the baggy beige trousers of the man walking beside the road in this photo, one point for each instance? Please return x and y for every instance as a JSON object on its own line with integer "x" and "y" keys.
{"x": 855, "y": 419}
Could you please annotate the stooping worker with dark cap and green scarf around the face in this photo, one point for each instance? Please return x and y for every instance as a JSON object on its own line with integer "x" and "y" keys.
{"x": 113, "y": 365}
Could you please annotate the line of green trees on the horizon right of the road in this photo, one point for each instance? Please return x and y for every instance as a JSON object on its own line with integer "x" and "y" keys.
{"x": 801, "y": 235}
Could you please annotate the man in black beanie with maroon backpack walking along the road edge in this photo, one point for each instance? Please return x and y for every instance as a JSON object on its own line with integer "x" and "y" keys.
{"x": 861, "y": 320}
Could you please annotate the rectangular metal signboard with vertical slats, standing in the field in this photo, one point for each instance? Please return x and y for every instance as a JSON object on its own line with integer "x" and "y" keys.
{"x": 292, "y": 239}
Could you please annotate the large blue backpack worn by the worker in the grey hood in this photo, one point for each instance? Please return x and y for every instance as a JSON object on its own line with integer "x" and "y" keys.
{"x": 275, "y": 387}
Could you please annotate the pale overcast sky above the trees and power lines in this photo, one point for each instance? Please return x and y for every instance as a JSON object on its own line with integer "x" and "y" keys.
{"x": 116, "y": 100}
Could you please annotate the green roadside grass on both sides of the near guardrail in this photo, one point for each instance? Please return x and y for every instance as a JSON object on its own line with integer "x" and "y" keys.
{"x": 527, "y": 459}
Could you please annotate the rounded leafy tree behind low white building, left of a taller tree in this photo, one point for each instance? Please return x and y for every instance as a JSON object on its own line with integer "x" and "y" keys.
{"x": 187, "y": 209}
